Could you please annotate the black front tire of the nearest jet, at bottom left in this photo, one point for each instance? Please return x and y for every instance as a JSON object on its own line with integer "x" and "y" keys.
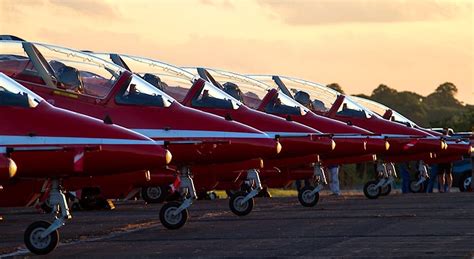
{"x": 35, "y": 244}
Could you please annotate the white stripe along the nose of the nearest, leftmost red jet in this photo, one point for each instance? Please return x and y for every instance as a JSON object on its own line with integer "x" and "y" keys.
{"x": 13, "y": 140}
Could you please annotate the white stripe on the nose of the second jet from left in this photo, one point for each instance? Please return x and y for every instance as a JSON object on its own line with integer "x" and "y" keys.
{"x": 165, "y": 134}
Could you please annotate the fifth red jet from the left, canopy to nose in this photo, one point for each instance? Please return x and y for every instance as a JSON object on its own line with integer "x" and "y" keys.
{"x": 406, "y": 143}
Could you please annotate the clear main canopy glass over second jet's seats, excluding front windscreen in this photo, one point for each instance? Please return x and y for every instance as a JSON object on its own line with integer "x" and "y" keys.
{"x": 58, "y": 67}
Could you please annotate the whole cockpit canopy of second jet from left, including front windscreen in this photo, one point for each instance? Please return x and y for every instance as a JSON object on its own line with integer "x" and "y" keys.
{"x": 76, "y": 72}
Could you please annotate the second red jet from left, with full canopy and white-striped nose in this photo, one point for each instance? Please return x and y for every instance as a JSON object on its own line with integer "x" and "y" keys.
{"x": 83, "y": 83}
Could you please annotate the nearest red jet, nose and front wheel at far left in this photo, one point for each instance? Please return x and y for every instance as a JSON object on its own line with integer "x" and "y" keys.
{"x": 50, "y": 143}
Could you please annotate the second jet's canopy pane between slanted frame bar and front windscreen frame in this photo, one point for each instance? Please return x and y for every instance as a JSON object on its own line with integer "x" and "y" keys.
{"x": 80, "y": 72}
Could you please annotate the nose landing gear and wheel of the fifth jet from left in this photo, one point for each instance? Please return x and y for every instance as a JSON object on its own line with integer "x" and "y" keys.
{"x": 383, "y": 185}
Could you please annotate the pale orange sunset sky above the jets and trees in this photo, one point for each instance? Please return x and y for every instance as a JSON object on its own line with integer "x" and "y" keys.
{"x": 408, "y": 45}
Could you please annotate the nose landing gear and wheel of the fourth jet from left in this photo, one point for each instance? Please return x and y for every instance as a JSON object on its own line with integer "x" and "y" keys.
{"x": 308, "y": 196}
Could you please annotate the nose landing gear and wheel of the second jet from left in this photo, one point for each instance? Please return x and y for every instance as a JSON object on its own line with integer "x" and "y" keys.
{"x": 173, "y": 215}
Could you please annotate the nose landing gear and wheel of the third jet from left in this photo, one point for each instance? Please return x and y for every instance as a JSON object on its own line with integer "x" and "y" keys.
{"x": 241, "y": 203}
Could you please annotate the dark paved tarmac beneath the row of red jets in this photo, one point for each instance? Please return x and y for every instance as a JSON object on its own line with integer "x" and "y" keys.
{"x": 411, "y": 225}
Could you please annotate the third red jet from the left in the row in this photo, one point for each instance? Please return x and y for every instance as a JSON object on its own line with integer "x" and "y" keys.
{"x": 301, "y": 143}
